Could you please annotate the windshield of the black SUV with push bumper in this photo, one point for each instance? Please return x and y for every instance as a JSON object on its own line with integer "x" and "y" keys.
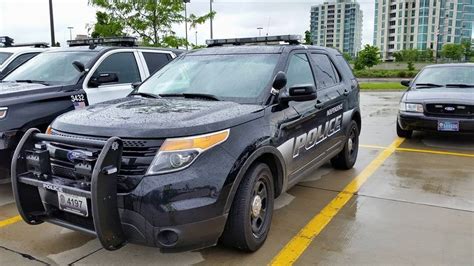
{"x": 241, "y": 78}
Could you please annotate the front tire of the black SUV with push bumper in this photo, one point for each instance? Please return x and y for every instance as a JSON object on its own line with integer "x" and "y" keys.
{"x": 245, "y": 229}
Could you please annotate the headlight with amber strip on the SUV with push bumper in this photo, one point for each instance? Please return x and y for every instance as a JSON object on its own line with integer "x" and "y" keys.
{"x": 178, "y": 154}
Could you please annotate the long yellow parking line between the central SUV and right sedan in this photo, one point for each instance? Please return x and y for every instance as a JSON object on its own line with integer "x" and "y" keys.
{"x": 299, "y": 243}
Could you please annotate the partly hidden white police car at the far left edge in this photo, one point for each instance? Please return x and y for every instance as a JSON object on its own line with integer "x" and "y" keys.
{"x": 14, "y": 55}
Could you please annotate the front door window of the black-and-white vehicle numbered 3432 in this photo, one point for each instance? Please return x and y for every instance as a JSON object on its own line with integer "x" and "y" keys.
{"x": 122, "y": 64}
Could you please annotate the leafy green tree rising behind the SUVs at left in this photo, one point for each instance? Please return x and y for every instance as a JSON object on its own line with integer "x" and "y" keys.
{"x": 150, "y": 20}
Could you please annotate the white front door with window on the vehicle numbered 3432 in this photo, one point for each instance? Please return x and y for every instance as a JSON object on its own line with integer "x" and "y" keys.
{"x": 125, "y": 64}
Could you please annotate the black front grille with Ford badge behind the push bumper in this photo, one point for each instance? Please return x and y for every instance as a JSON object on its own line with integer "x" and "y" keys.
{"x": 136, "y": 157}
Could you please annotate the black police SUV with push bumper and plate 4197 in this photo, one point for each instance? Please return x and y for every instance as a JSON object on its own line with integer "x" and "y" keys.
{"x": 199, "y": 151}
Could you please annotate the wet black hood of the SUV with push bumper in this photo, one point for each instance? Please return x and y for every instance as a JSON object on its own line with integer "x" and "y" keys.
{"x": 134, "y": 117}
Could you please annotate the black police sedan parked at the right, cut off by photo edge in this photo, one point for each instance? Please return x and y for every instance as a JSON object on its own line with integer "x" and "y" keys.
{"x": 440, "y": 98}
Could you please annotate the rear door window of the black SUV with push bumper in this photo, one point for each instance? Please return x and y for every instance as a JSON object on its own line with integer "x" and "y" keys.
{"x": 325, "y": 74}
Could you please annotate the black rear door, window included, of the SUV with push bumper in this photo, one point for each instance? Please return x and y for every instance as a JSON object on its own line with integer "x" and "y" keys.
{"x": 332, "y": 100}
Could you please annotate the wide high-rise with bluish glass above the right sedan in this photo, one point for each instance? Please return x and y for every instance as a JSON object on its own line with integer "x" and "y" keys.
{"x": 421, "y": 24}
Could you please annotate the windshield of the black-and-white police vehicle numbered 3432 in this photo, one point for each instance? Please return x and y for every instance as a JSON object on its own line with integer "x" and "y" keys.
{"x": 52, "y": 68}
